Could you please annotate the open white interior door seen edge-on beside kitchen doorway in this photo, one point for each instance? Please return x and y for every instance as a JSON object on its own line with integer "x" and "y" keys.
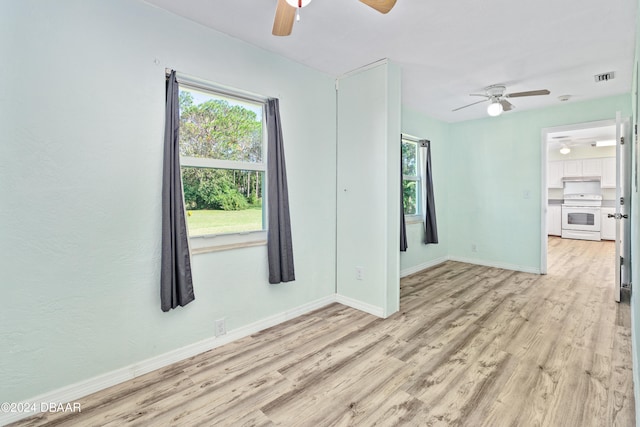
{"x": 623, "y": 174}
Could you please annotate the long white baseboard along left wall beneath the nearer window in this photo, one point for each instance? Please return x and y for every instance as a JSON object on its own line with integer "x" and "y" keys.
{"x": 83, "y": 388}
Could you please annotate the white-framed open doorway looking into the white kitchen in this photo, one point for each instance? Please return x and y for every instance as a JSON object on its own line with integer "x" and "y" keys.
{"x": 587, "y": 158}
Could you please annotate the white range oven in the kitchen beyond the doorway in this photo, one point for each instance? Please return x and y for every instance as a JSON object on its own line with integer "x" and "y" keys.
{"x": 581, "y": 216}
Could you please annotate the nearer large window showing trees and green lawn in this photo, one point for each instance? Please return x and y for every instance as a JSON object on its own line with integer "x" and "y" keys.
{"x": 223, "y": 161}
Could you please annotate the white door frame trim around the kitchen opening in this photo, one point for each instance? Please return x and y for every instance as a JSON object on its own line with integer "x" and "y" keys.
{"x": 544, "y": 194}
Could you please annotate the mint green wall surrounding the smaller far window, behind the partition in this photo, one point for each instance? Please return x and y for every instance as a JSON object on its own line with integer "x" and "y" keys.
{"x": 419, "y": 254}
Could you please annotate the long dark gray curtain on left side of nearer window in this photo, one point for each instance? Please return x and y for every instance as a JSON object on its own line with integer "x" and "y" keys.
{"x": 176, "y": 285}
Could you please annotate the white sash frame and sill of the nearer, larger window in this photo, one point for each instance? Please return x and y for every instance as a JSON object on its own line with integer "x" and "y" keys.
{"x": 220, "y": 242}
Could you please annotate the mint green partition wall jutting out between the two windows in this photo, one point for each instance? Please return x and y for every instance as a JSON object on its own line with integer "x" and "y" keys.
{"x": 369, "y": 114}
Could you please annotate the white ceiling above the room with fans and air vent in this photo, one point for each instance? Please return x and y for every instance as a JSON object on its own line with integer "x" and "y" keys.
{"x": 449, "y": 49}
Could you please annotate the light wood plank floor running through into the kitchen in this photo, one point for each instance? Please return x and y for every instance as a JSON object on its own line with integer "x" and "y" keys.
{"x": 471, "y": 346}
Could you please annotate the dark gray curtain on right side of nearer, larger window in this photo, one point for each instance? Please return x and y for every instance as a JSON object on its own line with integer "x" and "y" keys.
{"x": 279, "y": 246}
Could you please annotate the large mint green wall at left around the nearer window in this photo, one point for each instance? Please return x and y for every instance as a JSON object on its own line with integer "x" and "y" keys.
{"x": 82, "y": 115}
